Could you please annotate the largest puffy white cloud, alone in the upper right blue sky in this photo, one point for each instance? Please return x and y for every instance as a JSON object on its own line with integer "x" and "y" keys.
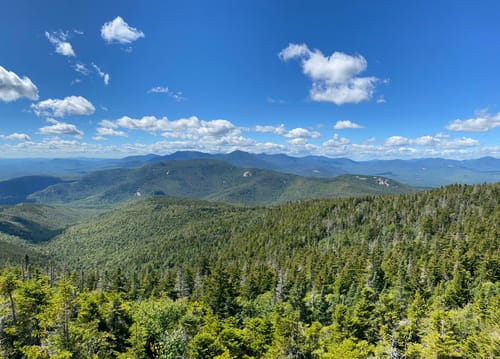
{"x": 335, "y": 77}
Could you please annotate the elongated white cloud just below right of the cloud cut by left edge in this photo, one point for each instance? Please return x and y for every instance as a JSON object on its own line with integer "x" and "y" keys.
{"x": 72, "y": 105}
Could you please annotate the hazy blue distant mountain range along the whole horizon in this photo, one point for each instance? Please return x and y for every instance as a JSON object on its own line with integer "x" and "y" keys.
{"x": 426, "y": 172}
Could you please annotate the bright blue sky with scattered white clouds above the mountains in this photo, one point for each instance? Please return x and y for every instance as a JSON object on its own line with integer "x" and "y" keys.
{"x": 358, "y": 79}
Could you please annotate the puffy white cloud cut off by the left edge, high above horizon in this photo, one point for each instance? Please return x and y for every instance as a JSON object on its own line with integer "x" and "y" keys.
{"x": 12, "y": 87}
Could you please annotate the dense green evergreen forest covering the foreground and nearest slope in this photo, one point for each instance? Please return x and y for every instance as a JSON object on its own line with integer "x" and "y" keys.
{"x": 388, "y": 276}
